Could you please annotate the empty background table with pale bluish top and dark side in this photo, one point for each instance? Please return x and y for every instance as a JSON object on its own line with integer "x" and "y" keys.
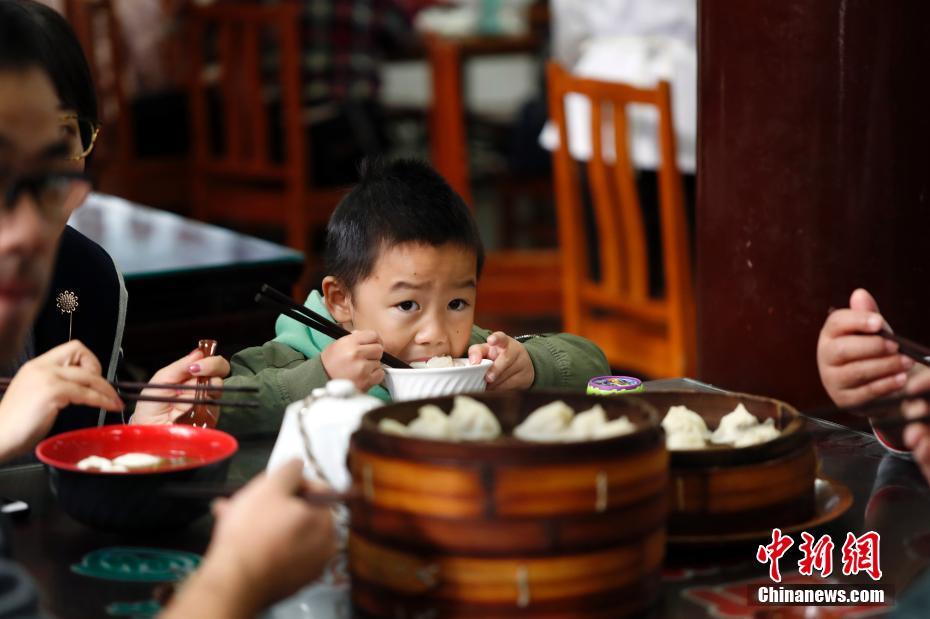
{"x": 186, "y": 279}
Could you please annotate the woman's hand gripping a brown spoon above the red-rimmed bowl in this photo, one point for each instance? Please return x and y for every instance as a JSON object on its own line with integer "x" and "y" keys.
{"x": 184, "y": 371}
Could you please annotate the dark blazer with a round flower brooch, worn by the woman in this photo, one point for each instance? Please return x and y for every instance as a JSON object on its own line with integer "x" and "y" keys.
{"x": 87, "y": 270}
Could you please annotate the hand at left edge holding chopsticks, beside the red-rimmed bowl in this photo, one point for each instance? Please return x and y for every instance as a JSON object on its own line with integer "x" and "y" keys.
{"x": 65, "y": 375}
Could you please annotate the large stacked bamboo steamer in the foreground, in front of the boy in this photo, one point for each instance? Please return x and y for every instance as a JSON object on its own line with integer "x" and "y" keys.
{"x": 508, "y": 528}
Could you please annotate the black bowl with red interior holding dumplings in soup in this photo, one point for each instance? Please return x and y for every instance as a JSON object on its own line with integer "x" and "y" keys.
{"x": 140, "y": 499}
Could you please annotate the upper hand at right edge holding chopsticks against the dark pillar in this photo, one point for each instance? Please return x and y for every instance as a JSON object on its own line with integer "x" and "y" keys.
{"x": 854, "y": 366}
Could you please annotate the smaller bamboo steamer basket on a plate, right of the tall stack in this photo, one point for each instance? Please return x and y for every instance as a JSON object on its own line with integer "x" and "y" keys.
{"x": 725, "y": 490}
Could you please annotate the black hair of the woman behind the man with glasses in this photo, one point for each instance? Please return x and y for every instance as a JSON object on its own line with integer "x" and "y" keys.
{"x": 34, "y": 35}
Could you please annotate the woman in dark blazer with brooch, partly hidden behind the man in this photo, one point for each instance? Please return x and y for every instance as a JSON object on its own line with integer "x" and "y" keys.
{"x": 86, "y": 300}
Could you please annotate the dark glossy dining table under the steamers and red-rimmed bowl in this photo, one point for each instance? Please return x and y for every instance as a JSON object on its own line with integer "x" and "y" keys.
{"x": 890, "y": 497}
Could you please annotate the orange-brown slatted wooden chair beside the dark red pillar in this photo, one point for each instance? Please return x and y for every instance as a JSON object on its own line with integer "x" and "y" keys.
{"x": 652, "y": 336}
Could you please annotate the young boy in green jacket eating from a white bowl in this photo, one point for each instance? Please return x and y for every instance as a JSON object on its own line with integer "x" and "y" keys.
{"x": 403, "y": 256}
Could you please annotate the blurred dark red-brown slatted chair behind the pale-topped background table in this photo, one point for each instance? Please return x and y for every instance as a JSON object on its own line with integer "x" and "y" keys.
{"x": 242, "y": 181}
